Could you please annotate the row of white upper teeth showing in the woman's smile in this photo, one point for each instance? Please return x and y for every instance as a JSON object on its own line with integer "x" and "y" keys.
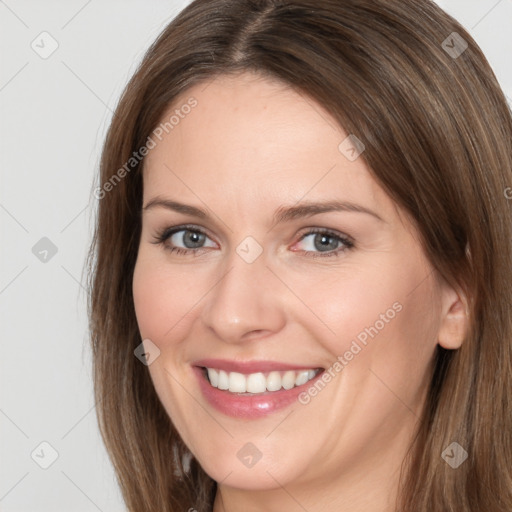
{"x": 258, "y": 382}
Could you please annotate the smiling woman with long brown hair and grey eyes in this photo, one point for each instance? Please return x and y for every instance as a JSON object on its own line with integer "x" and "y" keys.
{"x": 301, "y": 271}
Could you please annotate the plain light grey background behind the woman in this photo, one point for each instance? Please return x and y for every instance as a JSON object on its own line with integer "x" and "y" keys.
{"x": 53, "y": 116}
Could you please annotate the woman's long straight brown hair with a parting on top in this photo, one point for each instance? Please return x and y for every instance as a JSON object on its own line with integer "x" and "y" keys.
{"x": 437, "y": 132}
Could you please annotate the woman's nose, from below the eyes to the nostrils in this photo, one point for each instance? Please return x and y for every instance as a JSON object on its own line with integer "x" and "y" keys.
{"x": 246, "y": 303}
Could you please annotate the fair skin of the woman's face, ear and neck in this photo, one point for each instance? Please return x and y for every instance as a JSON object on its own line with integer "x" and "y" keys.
{"x": 250, "y": 146}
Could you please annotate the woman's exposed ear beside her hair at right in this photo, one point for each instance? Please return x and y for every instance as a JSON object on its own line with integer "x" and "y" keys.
{"x": 454, "y": 322}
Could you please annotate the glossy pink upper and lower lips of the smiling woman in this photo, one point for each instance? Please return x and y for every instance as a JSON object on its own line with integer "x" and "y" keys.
{"x": 247, "y": 406}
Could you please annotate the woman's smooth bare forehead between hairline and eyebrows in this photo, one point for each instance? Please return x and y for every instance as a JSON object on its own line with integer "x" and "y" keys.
{"x": 260, "y": 139}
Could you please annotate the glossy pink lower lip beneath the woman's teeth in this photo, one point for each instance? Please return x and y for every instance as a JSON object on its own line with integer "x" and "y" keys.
{"x": 246, "y": 406}
